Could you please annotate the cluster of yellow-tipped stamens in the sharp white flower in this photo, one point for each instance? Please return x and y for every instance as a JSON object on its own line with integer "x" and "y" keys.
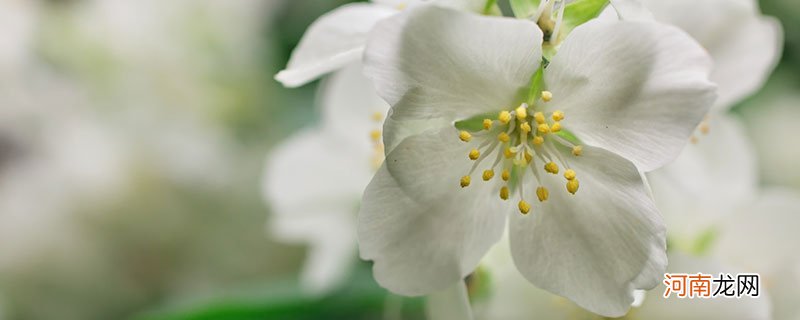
{"x": 521, "y": 140}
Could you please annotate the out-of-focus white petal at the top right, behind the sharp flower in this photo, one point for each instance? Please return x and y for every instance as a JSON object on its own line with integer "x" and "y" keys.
{"x": 745, "y": 45}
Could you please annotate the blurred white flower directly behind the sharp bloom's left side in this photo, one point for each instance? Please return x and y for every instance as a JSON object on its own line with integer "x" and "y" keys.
{"x": 313, "y": 180}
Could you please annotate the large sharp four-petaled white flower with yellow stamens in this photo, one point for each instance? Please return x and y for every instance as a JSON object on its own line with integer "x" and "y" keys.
{"x": 631, "y": 92}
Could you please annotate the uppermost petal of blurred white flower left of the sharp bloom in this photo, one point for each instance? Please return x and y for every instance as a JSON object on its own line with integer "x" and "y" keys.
{"x": 349, "y": 104}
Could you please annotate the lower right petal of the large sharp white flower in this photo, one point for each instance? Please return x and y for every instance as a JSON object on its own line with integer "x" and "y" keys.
{"x": 597, "y": 246}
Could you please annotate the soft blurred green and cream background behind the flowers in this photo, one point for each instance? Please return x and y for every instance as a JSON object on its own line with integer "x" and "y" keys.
{"x": 132, "y": 143}
